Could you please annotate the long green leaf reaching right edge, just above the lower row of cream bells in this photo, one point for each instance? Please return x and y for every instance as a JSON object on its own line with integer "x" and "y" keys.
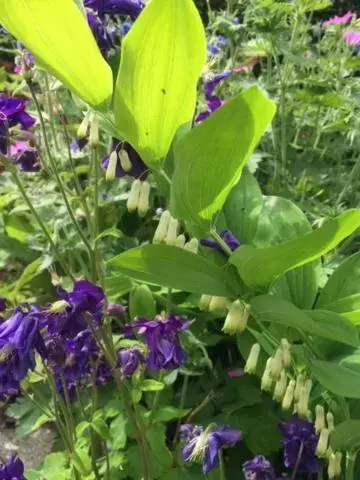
{"x": 268, "y": 308}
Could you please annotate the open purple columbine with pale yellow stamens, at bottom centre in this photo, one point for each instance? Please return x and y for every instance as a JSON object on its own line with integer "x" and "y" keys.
{"x": 204, "y": 445}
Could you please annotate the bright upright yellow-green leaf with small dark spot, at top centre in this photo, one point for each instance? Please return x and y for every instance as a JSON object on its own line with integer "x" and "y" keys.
{"x": 162, "y": 59}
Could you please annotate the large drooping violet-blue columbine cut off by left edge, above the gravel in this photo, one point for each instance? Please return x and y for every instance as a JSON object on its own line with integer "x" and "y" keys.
{"x": 19, "y": 337}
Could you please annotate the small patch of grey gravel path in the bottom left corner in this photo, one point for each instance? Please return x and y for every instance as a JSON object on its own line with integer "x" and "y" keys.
{"x": 31, "y": 449}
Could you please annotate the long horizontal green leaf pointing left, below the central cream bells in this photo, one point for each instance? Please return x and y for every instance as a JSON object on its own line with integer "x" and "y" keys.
{"x": 176, "y": 268}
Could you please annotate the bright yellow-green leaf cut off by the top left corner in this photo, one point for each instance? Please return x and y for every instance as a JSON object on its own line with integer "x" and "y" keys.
{"x": 57, "y": 33}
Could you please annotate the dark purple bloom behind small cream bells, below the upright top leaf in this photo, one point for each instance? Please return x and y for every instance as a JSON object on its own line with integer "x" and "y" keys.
{"x": 137, "y": 167}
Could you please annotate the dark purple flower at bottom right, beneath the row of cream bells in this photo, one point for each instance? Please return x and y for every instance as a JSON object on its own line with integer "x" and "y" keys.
{"x": 299, "y": 434}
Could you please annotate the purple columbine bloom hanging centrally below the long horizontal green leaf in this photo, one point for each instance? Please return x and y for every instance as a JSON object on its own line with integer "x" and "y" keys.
{"x": 162, "y": 339}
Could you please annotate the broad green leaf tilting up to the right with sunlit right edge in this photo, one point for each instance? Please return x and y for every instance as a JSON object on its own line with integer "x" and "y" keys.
{"x": 210, "y": 158}
